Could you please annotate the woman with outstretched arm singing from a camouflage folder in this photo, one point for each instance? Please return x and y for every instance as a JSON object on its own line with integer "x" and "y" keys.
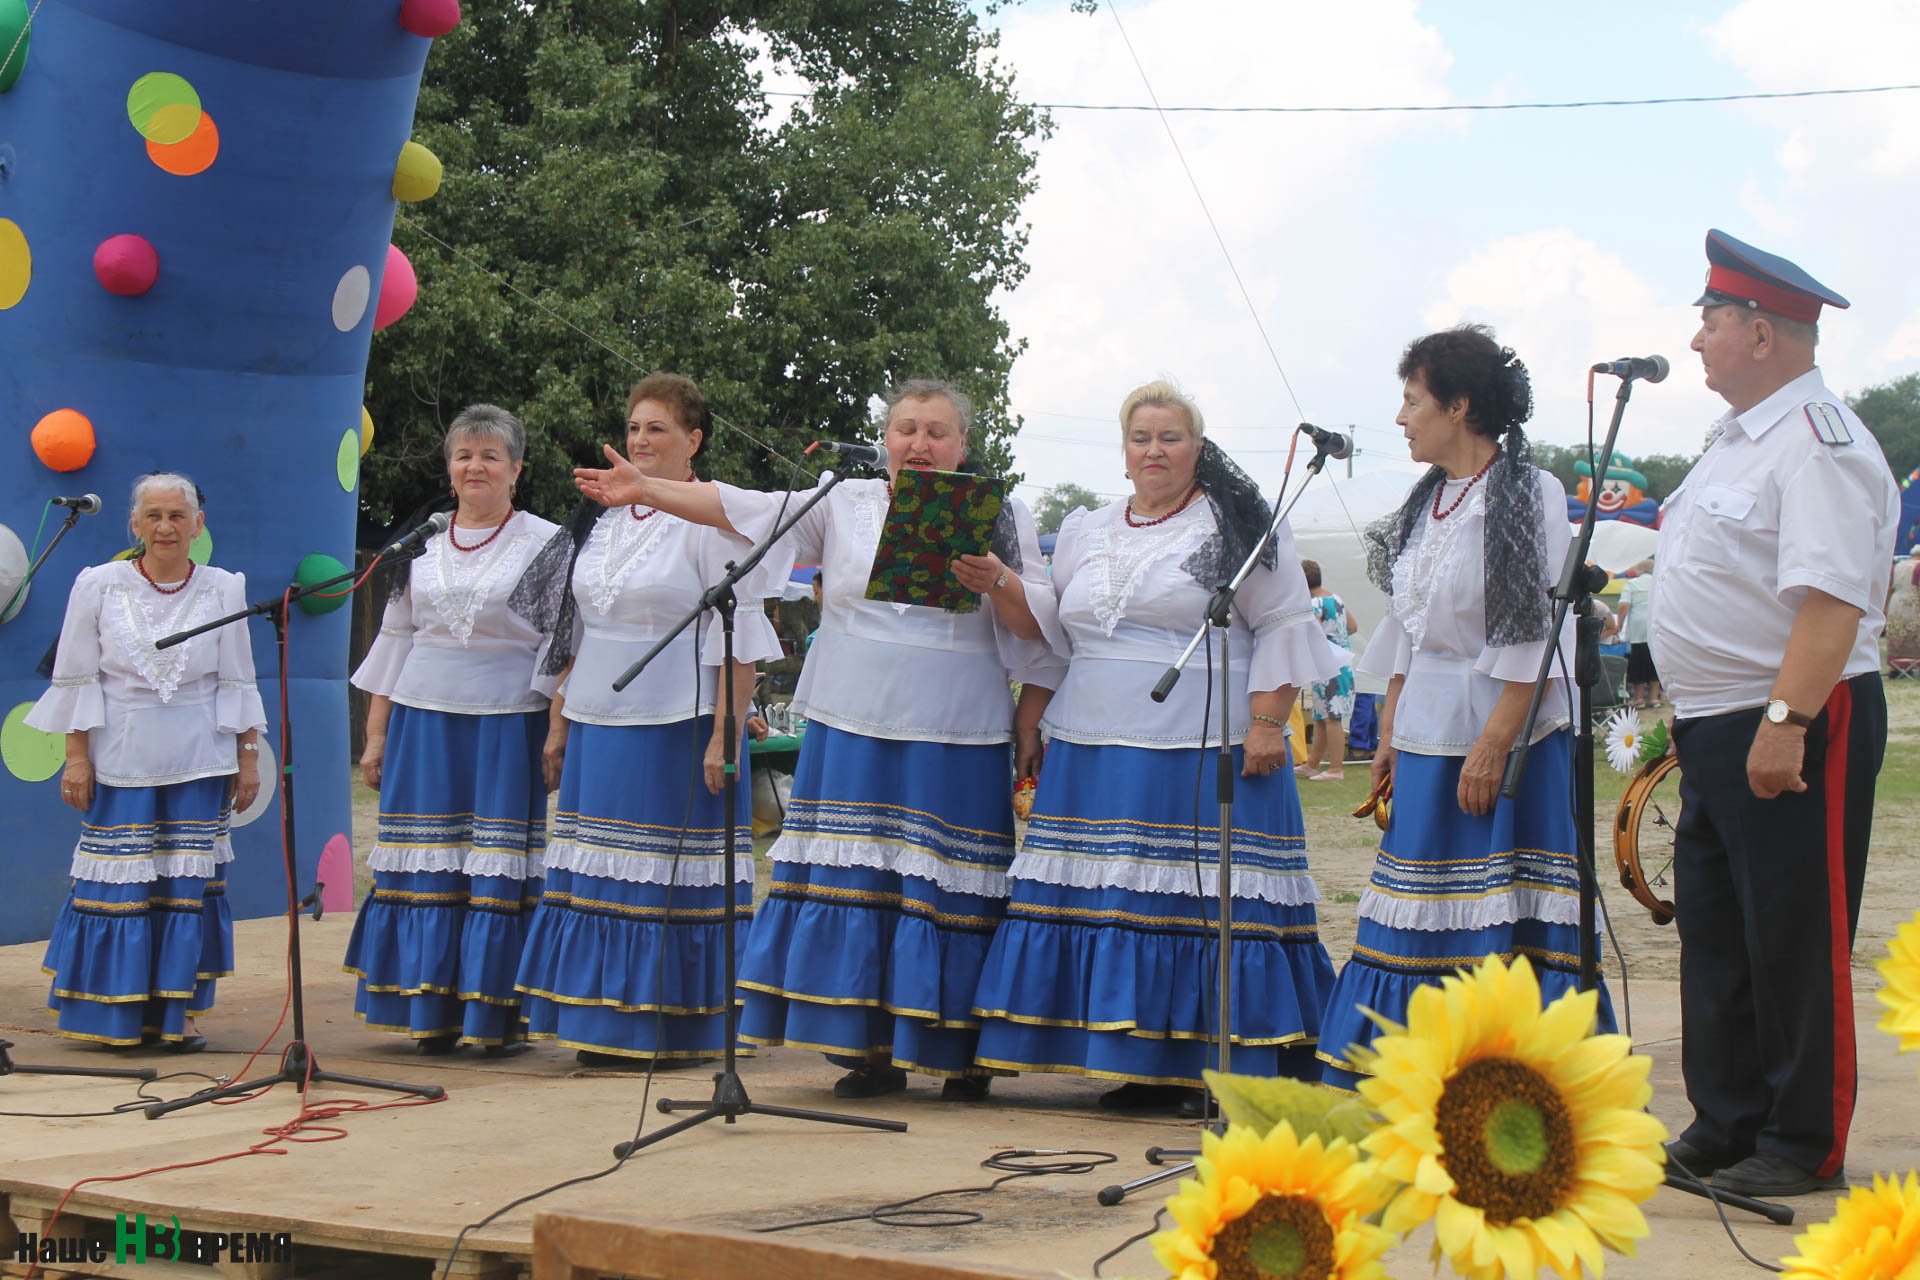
{"x": 890, "y": 874}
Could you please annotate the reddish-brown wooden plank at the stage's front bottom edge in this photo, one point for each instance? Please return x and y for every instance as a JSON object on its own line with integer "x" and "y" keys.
{"x": 571, "y": 1246}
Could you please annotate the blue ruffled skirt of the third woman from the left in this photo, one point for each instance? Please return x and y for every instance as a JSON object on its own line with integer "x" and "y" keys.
{"x": 627, "y": 953}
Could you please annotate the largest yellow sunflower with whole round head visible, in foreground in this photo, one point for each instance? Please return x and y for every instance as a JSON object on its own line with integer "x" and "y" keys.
{"x": 1516, "y": 1129}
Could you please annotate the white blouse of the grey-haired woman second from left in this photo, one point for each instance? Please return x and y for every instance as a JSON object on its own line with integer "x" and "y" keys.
{"x": 450, "y": 644}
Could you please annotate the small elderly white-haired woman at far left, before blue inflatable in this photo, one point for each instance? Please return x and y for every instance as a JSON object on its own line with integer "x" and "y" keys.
{"x": 162, "y": 747}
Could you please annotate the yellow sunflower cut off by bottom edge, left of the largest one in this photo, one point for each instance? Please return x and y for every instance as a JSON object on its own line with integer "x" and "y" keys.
{"x": 1276, "y": 1208}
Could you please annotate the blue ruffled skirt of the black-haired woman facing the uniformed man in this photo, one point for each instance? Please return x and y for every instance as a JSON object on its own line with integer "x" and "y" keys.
{"x": 1451, "y": 889}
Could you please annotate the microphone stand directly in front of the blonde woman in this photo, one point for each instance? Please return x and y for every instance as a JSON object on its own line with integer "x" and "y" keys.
{"x": 1218, "y": 617}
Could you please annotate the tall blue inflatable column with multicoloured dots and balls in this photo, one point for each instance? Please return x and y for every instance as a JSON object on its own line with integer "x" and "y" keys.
{"x": 197, "y": 206}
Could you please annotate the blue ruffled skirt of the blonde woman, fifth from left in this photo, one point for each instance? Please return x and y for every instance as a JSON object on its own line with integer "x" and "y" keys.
{"x": 1109, "y": 959}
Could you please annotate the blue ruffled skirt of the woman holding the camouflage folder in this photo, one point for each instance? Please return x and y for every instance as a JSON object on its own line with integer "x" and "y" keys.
{"x": 888, "y": 884}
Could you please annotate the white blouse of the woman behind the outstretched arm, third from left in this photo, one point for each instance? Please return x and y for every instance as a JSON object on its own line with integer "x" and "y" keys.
{"x": 633, "y": 582}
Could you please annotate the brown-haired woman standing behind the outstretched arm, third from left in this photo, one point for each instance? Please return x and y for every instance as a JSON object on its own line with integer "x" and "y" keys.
{"x": 625, "y": 959}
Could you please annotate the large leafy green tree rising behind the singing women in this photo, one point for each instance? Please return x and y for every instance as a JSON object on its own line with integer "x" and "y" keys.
{"x": 615, "y": 164}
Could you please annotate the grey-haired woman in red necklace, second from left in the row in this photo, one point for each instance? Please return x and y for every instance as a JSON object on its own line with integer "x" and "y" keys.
{"x": 454, "y": 746}
